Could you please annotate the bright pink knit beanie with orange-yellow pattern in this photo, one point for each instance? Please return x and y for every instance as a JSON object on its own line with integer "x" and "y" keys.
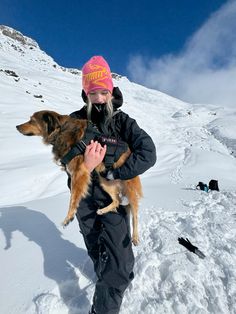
{"x": 96, "y": 74}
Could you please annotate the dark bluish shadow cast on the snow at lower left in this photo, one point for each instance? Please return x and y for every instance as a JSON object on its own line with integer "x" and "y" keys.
{"x": 60, "y": 255}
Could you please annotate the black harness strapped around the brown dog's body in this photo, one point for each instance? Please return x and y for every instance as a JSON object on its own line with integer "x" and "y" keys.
{"x": 115, "y": 147}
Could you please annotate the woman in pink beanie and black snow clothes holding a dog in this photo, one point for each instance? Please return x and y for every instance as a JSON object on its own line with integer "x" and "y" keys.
{"x": 107, "y": 237}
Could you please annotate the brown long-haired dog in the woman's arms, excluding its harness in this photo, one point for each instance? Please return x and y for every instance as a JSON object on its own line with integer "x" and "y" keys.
{"x": 63, "y": 132}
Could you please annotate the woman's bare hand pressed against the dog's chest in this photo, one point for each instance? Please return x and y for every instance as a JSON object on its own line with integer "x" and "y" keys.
{"x": 94, "y": 155}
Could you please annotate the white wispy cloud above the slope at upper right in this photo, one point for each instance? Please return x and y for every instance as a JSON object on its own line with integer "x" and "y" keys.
{"x": 204, "y": 71}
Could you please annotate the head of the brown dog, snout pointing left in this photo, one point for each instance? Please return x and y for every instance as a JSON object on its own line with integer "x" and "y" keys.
{"x": 42, "y": 123}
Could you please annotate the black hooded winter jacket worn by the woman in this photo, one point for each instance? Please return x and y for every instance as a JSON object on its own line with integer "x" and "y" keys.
{"x": 125, "y": 128}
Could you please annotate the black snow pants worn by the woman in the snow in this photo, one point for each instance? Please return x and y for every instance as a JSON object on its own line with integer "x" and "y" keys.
{"x": 108, "y": 241}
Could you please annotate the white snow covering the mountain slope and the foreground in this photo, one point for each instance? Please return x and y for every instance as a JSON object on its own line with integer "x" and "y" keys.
{"x": 45, "y": 269}
